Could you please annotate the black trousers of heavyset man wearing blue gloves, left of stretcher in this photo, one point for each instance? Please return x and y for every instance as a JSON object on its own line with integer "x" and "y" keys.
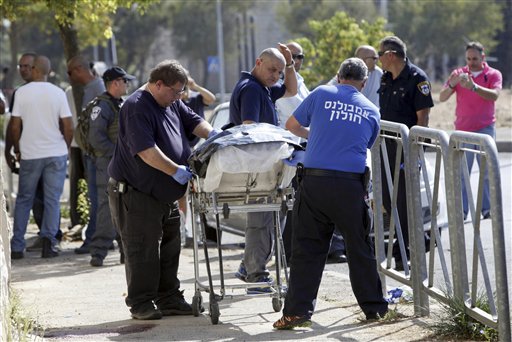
{"x": 150, "y": 234}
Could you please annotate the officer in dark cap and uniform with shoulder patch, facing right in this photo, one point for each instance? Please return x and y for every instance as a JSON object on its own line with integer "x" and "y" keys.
{"x": 102, "y": 137}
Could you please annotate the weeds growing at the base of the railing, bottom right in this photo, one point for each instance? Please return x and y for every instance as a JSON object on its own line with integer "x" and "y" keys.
{"x": 455, "y": 323}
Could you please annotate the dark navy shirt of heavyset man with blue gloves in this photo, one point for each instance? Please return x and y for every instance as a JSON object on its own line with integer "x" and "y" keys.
{"x": 144, "y": 124}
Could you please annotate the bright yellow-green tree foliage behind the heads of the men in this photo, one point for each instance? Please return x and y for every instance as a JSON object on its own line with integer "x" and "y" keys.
{"x": 333, "y": 40}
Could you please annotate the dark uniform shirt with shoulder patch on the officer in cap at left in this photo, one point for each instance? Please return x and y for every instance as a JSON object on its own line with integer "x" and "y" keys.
{"x": 103, "y": 126}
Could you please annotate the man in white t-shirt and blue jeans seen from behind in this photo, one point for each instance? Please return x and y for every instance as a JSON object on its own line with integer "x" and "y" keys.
{"x": 42, "y": 150}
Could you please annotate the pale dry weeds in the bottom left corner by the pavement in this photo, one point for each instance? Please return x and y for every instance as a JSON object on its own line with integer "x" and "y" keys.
{"x": 22, "y": 327}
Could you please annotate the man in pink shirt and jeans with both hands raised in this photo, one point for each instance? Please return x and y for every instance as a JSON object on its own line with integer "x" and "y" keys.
{"x": 477, "y": 87}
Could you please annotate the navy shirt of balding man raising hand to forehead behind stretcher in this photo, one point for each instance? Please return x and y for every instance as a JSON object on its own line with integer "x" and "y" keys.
{"x": 251, "y": 100}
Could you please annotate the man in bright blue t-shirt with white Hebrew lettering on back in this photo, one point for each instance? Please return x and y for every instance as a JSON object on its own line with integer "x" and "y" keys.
{"x": 340, "y": 123}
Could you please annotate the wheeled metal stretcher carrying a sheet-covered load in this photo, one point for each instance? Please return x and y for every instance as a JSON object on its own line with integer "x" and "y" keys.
{"x": 242, "y": 172}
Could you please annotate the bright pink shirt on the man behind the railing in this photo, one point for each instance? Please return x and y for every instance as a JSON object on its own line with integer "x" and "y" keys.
{"x": 474, "y": 112}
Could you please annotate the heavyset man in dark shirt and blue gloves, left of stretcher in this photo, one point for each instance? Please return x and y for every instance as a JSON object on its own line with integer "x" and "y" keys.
{"x": 148, "y": 174}
